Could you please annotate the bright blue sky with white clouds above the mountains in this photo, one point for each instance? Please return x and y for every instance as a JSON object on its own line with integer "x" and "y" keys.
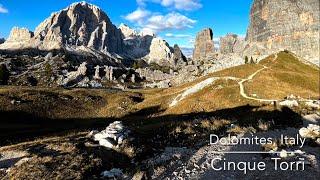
{"x": 177, "y": 21}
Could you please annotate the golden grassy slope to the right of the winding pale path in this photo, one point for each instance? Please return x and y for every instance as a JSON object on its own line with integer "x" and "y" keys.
{"x": 287, "y": 75}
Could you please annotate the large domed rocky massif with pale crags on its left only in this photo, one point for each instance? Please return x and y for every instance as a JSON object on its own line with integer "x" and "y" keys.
{"x": 80, "y": 24}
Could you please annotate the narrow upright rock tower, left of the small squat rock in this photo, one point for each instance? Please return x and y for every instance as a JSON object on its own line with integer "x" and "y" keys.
{"x": 204, "y": 45}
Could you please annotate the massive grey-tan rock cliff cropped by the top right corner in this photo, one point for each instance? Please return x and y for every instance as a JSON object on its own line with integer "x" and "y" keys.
{"x": 287, "y": 24}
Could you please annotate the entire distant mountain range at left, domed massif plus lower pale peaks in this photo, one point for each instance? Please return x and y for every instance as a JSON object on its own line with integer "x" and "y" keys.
{"x": 86, "y": 28}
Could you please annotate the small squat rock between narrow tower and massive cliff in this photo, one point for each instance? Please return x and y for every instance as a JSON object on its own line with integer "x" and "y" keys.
{"x": 231, "y": 43}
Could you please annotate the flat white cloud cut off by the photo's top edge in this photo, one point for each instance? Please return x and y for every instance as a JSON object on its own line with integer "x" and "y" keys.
{"x": 186, "y": 5}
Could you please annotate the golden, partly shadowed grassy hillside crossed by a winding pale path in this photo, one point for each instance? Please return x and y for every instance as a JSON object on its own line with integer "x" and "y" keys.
{"x": 59, "y": 120}
